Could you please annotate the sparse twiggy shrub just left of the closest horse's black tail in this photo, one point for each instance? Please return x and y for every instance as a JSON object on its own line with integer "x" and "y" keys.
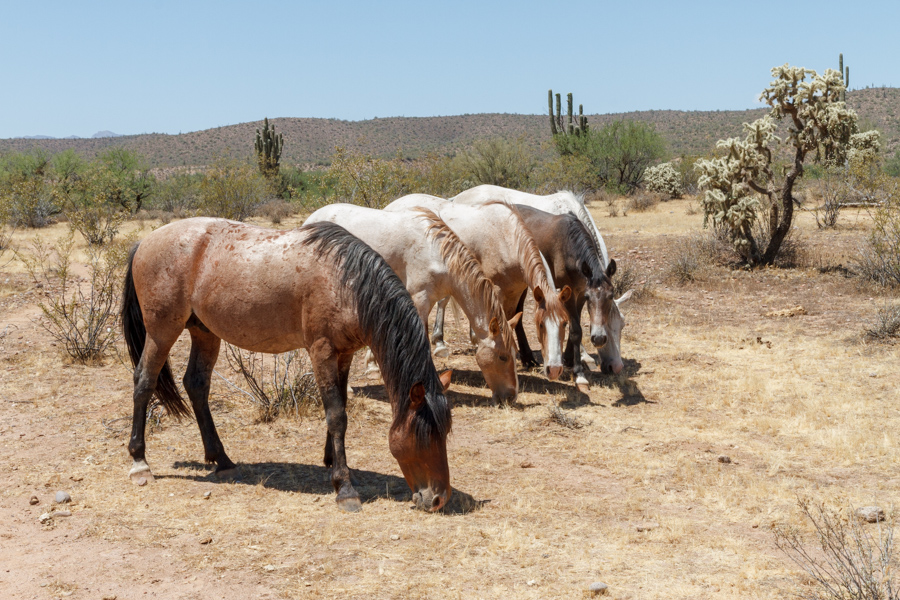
{"x": 81, "y": 317}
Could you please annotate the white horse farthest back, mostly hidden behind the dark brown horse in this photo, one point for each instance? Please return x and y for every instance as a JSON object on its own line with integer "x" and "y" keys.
{"x": 559, "y": 204}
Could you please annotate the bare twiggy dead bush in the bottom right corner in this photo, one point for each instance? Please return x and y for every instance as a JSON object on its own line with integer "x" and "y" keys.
{"x": 846, "y": 561}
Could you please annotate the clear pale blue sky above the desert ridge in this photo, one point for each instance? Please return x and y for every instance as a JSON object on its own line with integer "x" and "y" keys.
{"x": 75, "y": 68}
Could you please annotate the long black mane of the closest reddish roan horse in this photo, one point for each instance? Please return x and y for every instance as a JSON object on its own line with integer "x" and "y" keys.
{"x": 390, "y": 324}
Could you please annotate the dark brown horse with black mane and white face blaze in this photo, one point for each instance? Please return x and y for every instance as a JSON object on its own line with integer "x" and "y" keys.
{"x": 574, "y": 261}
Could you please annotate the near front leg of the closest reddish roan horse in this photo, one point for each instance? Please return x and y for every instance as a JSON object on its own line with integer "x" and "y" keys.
{"x": 332, "y": 374}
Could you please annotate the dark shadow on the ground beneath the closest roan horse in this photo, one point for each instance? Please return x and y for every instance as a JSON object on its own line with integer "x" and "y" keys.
{"x": 316, "y": 480}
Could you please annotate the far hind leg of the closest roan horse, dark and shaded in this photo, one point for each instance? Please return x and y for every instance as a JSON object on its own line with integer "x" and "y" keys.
{"x": 204, "y": 352}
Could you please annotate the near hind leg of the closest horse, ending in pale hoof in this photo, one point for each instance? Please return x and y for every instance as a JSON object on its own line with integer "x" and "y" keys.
{"x": 153, "y": 358}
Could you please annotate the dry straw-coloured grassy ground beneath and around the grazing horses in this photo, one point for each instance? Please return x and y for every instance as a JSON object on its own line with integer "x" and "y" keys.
{"x": 636, "y": 497}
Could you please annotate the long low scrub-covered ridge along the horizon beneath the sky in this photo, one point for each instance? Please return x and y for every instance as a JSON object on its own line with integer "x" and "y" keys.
{"x": 312, "y": 141}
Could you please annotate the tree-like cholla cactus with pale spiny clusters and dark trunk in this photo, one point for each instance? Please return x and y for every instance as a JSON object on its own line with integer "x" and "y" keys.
{"x": 740, "y": 185}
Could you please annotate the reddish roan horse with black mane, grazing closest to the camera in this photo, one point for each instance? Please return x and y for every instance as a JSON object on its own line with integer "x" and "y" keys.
{"x": 316, "y": 287}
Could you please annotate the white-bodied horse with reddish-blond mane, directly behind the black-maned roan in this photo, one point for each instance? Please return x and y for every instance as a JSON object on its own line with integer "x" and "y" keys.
{"x": 433, "y": 263}
